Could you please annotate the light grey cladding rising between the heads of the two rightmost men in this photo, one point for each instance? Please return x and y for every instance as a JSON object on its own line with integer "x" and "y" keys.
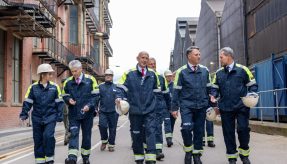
{"x": 206, "y": 37}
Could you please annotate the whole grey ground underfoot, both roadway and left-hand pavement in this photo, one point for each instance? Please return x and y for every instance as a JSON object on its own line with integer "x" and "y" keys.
{"x": 264, "y": 148}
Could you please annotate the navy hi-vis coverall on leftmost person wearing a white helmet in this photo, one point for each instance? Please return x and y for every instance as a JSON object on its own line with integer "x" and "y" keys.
{"x": 47, "y": 106}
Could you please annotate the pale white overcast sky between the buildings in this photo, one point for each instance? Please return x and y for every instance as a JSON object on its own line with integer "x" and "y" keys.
{"x": 147, "y": 25}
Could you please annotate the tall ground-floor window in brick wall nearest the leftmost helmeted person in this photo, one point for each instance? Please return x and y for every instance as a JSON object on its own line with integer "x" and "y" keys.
{"x": 16, "y": 71}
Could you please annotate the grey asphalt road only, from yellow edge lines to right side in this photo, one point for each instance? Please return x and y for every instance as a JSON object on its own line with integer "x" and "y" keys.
{"x": 266, "y": 149}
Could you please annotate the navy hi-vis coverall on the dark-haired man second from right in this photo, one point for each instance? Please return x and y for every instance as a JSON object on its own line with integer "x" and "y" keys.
{"x": 191, "y": 94}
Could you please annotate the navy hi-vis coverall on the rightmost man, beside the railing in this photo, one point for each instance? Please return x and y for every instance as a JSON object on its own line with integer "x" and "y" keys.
{"x": 231, "y": 86}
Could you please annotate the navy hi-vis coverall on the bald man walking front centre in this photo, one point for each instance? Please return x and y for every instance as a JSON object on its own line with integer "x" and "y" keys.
{"x": 141, "y": 92}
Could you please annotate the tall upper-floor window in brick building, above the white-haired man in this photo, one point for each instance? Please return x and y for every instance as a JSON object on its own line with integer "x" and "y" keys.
{"x": 73, "y": 24}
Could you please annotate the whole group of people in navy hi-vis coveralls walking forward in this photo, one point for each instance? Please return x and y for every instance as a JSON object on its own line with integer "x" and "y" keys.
{"x": 154, "y": 100}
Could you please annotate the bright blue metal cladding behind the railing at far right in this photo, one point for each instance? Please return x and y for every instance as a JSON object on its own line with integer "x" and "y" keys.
{"x": 271, "y": 74}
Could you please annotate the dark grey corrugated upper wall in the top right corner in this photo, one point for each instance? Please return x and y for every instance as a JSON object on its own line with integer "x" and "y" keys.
{"x": 272, "y": 37}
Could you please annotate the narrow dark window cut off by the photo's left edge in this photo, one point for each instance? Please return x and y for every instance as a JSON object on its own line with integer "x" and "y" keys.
{"x": 2, "y": 52}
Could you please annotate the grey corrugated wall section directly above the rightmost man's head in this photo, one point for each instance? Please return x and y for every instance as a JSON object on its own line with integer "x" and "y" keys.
{"x": 232, "y": 29}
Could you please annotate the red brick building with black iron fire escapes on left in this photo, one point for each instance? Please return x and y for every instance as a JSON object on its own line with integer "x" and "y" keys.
{"x": 48, "y": 31}
